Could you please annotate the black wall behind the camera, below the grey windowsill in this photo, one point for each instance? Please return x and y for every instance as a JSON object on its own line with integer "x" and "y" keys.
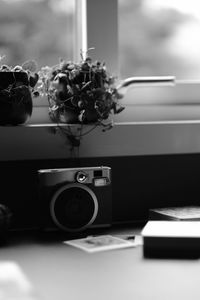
{"x": 138, "y": 183}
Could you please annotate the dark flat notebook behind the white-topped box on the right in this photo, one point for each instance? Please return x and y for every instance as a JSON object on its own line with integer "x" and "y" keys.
{"x": 185, "y": 213}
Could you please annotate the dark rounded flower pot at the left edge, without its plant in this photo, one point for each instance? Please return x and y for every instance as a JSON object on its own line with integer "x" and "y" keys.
{"x": 15, "y": 98}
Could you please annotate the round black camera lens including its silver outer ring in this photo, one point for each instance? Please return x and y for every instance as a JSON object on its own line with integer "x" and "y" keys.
{"x": 74, "y": 207}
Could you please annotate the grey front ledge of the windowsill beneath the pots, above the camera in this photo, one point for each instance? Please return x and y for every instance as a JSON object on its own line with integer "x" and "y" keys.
{"x": 36, "y": 141}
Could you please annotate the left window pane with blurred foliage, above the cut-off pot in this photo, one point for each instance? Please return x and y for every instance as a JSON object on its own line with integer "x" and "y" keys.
{"x": 36, "y": 29}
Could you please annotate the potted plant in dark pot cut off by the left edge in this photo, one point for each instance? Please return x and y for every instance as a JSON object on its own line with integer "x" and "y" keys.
{"x": 16, "y": 90}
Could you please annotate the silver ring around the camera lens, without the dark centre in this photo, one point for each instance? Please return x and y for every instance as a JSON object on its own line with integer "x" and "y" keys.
{"x": 59, "y": 192}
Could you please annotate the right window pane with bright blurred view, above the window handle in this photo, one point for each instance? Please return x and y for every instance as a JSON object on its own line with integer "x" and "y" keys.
{"x": 159, "y": 38}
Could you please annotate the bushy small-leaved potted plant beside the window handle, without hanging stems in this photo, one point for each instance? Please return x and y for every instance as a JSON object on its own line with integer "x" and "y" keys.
{"x": 81, "y": 93}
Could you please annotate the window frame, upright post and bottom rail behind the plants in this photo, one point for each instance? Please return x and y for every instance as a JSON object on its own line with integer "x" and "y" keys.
{"x": 96, "y": 25}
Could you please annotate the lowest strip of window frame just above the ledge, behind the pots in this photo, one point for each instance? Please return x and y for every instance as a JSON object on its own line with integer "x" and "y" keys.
{"x": 135, "y": 114}
